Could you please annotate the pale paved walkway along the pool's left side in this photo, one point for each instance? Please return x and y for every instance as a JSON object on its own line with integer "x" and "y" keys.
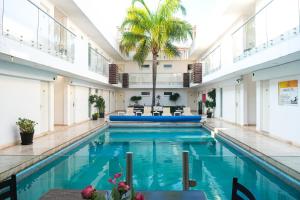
{"x": 16, "y": 158}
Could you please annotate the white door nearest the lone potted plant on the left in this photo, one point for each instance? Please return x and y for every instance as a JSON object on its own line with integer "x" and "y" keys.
{"x": 44, "y": 107}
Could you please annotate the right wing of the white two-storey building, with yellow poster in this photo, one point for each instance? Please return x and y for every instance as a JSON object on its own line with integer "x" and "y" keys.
{"x": 254, "y": 67}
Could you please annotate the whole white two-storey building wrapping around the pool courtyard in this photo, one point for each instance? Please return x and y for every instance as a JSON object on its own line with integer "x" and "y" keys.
{"x": 53, "y": 56}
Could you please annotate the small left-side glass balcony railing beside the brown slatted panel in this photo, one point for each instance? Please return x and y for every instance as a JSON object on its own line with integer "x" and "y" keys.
{"x": 98, "y": 63}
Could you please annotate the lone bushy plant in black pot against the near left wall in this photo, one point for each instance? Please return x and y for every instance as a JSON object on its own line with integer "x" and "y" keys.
{"x": 26, "y": 127}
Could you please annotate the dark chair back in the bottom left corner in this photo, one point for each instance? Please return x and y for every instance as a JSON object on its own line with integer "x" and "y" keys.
{"x": 8, "y": 188}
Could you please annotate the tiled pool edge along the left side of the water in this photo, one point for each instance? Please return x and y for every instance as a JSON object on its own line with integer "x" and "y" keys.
{"x": 36, "y": 159}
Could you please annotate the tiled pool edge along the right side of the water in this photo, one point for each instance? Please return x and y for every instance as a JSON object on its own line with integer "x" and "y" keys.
{"x": 276, "y": 168}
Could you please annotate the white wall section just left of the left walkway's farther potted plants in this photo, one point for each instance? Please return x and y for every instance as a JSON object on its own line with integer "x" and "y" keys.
{"x": 81, "y": 104}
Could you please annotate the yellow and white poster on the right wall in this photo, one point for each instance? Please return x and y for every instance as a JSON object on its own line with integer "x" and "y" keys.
{"x": 288, "y": 92}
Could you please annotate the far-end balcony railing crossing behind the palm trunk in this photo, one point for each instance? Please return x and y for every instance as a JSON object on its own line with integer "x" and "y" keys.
{"x": 162, "y": 80}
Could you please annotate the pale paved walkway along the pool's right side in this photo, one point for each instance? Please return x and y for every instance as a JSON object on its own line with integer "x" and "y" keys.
{"x": 278, "y": 153}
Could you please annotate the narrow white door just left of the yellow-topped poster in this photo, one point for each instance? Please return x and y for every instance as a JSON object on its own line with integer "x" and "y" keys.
{"x": 265, "y": 106}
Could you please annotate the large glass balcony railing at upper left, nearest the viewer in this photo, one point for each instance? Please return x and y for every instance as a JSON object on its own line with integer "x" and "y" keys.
{"x": 26, "y": 23}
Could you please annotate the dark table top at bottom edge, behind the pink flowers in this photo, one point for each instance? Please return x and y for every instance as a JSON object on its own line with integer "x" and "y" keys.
{"x": 58, "y": 194}
